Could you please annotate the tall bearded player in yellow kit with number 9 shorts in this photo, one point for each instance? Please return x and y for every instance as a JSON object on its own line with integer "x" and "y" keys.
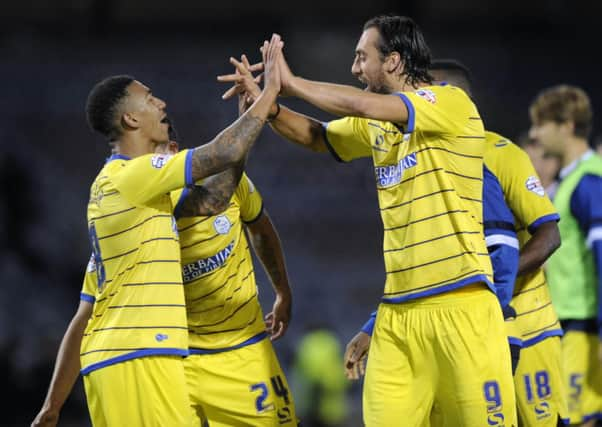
{"x": 439, "y": 336}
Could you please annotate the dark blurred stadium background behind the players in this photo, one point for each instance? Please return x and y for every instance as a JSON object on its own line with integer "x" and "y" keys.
{"x": 52, "y": 52}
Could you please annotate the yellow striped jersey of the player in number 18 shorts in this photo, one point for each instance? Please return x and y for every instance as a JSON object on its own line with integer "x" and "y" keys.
{"x": 536, "y": 318}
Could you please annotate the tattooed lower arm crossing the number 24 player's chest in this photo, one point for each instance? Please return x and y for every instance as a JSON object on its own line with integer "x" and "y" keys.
{"x": 213, "y": 196}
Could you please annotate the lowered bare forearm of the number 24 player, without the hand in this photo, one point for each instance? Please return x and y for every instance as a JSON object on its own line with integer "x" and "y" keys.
{"x": 266, "y": 243}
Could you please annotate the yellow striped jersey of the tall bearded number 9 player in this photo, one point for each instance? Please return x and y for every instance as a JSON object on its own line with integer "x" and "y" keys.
{"x": 429, "y": 179}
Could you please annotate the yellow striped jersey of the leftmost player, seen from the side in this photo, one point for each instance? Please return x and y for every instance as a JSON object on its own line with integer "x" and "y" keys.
{"x": 140, "y": 306}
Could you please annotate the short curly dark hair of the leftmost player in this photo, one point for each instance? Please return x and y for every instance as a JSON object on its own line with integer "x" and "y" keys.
{"x": 103, "y": 103}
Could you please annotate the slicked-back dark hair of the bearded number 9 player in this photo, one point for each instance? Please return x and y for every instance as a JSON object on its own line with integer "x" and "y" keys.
{"x": 401, "y": 34}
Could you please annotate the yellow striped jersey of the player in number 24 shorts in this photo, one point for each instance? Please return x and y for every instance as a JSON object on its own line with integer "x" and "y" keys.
{"x": 217, "y": 268}
